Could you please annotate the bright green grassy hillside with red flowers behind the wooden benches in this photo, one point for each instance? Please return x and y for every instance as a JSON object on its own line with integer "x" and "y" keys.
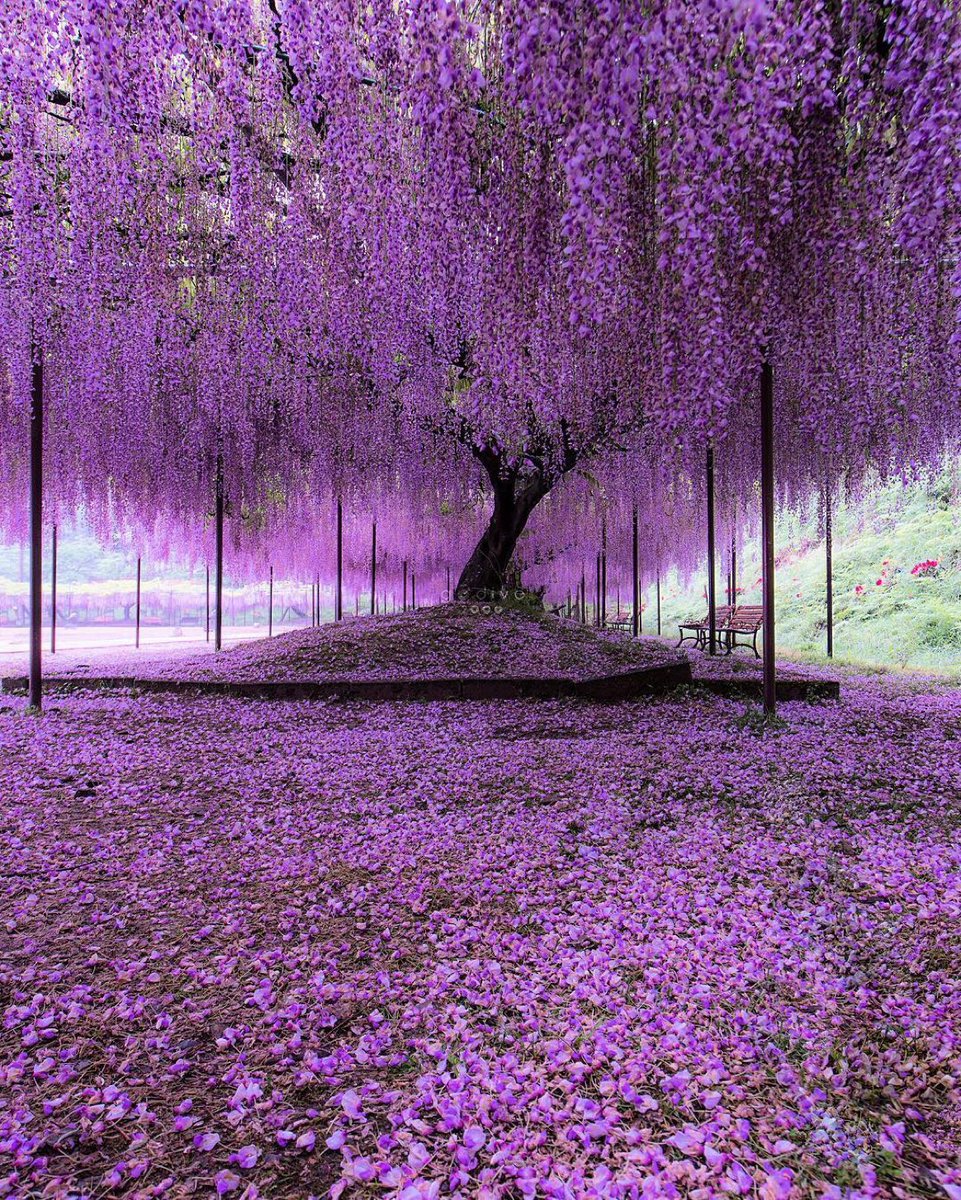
{"x": 884, "y": 614}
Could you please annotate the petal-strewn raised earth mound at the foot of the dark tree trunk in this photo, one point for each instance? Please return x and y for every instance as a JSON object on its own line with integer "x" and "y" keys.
{"x": 443, "y": 645}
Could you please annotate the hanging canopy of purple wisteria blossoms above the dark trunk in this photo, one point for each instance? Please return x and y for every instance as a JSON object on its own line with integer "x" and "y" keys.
{"x": 345, "y": 250}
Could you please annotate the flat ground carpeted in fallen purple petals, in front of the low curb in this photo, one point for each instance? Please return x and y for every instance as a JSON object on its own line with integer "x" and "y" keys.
{"x": 482, "y": 951}
